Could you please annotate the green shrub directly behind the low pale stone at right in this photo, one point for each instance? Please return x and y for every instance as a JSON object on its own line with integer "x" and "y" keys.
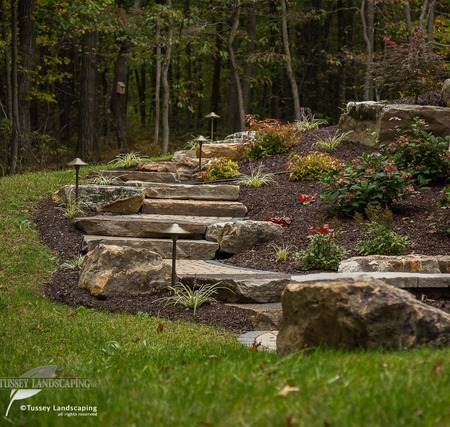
{"x": 378, "y": 238}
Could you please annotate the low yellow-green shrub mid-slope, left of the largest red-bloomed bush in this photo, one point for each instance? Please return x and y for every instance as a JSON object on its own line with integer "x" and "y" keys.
{"x": 311, "y": 167}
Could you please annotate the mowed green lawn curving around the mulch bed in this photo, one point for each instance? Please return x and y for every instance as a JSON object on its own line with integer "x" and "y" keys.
{"x": 186, "y": 374}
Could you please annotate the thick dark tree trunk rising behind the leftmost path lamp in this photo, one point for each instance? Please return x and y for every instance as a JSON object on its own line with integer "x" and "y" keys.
{"x": 87, "y": 130}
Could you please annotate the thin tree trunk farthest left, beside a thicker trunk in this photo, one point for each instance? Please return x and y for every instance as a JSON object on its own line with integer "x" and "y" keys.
{"x": 14, "y": 146}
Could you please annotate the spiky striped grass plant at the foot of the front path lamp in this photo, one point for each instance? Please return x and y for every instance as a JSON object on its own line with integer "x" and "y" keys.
{"x": 191, "y": 297}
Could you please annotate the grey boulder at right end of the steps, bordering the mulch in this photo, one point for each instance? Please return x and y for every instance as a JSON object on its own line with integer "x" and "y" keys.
{"x": 236, "y": 236}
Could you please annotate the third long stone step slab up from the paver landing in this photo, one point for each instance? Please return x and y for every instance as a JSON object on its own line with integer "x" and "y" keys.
{"x": 193, "y": 207}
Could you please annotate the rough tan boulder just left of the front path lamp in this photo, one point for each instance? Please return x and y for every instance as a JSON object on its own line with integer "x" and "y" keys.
{"x": 117, "y": 270}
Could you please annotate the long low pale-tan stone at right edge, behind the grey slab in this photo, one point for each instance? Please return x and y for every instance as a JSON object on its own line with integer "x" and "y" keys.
{"x": 407, "y": 263}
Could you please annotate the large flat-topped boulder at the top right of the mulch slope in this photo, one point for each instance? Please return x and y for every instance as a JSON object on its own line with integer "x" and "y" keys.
{"x": 370, "y": 121}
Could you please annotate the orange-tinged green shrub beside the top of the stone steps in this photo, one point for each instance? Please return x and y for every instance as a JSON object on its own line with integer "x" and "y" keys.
{"x": 271, "y": 137}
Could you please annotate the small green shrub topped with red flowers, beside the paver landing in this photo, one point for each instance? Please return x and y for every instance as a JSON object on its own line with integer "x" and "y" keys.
{"x": 323, "y": 252}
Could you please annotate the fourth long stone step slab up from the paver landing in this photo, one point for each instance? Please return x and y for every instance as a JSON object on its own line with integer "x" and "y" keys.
{"x": 188, "y": 191}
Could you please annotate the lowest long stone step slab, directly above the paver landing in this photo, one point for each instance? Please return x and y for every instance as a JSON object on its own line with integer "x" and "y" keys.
{"x": 186, "y": 249}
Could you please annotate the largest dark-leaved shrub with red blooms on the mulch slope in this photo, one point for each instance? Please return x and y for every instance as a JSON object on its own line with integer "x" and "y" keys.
{"x": 368, "y": 180}
